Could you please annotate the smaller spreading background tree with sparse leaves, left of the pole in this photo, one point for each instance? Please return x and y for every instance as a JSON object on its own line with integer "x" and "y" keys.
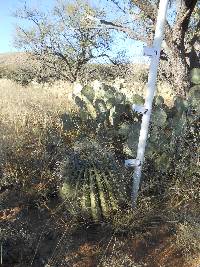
{"x": 64, "y": 40}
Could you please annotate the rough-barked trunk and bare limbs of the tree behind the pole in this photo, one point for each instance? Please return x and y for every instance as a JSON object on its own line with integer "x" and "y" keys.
{"x": 177, "y": 66}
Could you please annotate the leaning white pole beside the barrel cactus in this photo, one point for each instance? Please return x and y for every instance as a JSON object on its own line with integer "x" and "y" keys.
{"x": 159, "y": 33}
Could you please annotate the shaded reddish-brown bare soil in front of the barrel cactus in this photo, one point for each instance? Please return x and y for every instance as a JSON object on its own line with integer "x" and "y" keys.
{"x": 45, "y": 236}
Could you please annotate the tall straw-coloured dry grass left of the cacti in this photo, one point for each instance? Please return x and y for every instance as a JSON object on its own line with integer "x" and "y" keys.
{"x": 32, "y": 131}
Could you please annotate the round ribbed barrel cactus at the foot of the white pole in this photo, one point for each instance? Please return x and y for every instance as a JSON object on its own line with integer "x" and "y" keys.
{"x": 93, "y": 181}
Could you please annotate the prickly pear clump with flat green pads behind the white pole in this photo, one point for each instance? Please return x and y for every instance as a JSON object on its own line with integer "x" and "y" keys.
{"x": 108, "y": 113}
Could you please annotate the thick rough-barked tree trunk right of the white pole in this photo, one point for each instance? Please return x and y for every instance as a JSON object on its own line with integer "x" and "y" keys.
{"x": 175, "y": 40}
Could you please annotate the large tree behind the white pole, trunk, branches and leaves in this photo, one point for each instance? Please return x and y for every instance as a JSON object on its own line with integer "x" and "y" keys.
{"x": 182, "y": 39}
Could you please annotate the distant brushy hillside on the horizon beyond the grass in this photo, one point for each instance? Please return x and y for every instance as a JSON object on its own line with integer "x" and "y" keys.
{"x": 20, "y": 67}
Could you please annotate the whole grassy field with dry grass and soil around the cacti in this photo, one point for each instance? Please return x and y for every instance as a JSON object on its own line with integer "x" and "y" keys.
{"x": 35, "y": 227}
